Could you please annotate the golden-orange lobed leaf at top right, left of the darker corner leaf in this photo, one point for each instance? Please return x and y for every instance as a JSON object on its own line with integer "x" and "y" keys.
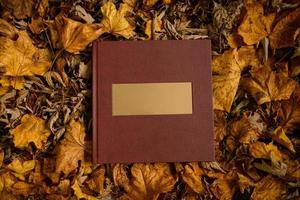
{"x": 255, "y": 25}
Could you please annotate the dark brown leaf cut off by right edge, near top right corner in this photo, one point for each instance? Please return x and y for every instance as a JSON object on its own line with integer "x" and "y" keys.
{"x": 286, "y": 30}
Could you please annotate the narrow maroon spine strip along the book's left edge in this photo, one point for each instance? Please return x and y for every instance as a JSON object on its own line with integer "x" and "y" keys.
{"x": 94, "y": 103}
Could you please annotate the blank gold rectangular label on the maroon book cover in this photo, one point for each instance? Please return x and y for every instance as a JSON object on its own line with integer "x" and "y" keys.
{"x": 152, "y": 98}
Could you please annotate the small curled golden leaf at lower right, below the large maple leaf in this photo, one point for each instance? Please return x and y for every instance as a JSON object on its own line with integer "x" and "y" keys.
{"x": 266, "y": 151}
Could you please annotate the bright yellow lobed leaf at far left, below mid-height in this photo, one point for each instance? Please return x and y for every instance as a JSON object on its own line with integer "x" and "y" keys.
{"x": 31, "y": 129}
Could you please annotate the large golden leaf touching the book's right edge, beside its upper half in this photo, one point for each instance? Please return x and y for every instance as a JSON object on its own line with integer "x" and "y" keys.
{"x": 227, "y": 70}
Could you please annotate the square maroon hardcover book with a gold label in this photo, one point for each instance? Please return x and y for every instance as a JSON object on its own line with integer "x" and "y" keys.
{"x": 152, "y": 101}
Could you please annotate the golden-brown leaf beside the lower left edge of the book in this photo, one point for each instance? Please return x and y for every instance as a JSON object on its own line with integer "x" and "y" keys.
{"x": 71, "y": 148}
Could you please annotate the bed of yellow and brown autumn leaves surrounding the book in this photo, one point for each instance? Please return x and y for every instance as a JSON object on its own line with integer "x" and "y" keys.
{"x": 45, "y": 98}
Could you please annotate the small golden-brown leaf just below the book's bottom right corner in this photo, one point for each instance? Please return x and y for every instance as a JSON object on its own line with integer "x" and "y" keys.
{"x": 192, "y": 176}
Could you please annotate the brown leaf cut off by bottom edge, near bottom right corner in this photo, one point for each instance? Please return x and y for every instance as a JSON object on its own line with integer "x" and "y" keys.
{"x": 269, "y": 188}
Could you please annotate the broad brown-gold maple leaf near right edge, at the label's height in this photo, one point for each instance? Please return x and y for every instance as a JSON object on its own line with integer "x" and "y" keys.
{"x": 266, "y": 85}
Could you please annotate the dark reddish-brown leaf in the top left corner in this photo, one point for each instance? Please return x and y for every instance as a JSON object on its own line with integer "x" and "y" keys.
{"x": 20, "y": 8}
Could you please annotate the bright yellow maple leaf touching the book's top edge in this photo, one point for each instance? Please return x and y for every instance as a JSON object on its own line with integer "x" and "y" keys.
{"x": 114, "y": 20}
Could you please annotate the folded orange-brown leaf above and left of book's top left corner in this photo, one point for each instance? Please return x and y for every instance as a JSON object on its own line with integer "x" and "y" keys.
{"x": 74, "y": 35}
